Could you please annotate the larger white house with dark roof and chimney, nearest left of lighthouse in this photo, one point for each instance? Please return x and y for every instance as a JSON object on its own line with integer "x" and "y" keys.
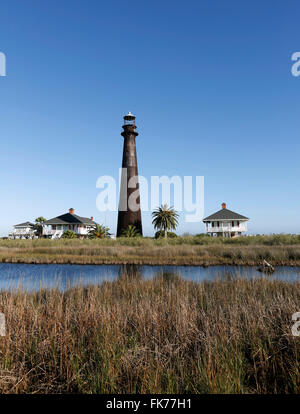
{"x": 55, "y": 227}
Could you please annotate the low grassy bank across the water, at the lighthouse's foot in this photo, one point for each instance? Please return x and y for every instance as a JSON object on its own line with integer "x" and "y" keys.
{"x": 197, "y": 250}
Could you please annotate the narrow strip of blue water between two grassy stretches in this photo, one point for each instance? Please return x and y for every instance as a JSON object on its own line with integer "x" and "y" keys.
{"x": 33, "y": 277}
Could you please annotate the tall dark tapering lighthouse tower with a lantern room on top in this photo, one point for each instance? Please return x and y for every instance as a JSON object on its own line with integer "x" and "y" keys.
{"x": 129, "y": 204}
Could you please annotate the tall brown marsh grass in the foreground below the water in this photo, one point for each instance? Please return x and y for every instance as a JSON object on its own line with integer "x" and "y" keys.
{"x": 161, "y": 335}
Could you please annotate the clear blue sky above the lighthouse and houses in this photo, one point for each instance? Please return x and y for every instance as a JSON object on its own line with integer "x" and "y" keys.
{"x": 209, "y": 82}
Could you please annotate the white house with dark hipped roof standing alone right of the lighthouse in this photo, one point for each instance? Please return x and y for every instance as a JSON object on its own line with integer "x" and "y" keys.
{"x": 225, "y": 223}
